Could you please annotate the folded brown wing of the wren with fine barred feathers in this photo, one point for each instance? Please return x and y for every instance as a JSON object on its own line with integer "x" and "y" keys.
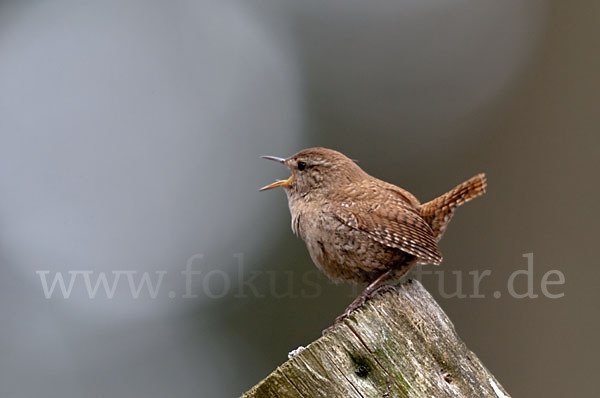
{"x": 391, "y": 222}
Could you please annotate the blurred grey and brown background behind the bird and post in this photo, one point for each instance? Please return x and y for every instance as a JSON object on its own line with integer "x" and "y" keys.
{"x": 130, "y": 136}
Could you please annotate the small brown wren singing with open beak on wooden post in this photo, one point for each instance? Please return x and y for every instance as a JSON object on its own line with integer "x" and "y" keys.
{"x": 358, "y": 228}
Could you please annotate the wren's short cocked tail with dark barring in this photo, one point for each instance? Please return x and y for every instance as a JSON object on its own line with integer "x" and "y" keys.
{"x": 439, "y": 211}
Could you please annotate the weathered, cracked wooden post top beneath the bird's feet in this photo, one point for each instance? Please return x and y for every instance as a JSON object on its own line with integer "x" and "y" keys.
{"x": 399, "y": 344}
